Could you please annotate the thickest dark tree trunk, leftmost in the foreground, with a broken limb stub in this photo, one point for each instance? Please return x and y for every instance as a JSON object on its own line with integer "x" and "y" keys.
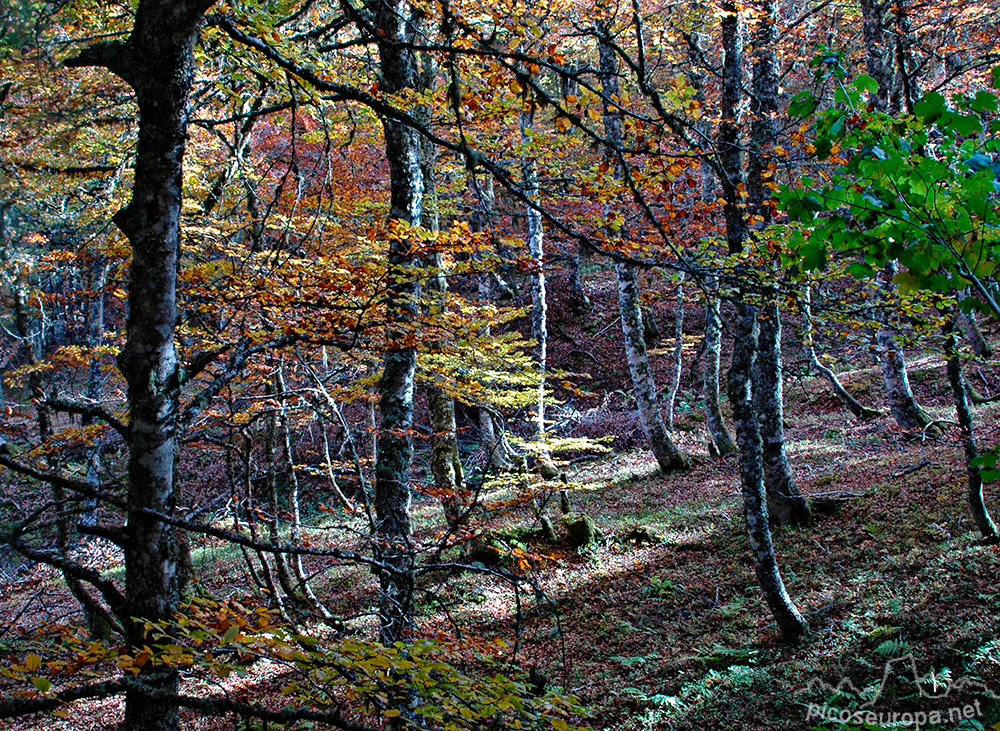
{"x": 157, "y": 61}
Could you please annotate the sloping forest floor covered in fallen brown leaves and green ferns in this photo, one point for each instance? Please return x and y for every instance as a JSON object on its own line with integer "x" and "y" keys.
{"x": 660, "y": 623}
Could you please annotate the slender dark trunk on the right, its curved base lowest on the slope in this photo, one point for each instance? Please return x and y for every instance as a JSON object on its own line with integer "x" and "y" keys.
{"x": 740, "y": 381}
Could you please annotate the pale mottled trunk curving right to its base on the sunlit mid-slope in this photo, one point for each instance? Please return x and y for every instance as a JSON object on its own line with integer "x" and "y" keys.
{"x": 667, "y": 455}
